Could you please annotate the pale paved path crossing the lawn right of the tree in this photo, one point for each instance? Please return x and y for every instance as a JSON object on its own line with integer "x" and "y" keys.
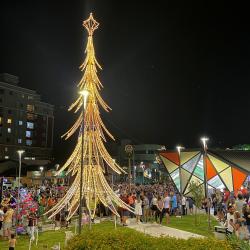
{"x": 159, "y": 230}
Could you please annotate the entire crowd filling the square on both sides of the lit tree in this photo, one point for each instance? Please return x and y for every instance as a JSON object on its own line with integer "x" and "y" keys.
{"x": 150, "y": 203}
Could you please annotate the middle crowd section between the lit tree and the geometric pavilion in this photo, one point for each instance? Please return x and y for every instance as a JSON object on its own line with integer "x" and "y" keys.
{"x": 152, "y": 202}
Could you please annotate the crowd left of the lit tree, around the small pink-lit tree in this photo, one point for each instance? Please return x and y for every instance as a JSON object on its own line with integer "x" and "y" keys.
{"x": 25, "y": 215}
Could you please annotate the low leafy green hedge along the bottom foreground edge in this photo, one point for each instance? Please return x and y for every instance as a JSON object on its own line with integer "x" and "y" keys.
{"x": 125, "y": 238}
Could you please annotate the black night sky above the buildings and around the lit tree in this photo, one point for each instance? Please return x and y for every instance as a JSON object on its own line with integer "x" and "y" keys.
{"x": 172, "y": 71}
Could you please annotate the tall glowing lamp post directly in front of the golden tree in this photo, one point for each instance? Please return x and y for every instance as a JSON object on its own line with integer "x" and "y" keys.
{"x": 84, "y": 94}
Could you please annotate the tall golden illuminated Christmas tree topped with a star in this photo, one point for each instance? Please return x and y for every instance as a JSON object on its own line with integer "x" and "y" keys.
{"x": 92, "y": 151}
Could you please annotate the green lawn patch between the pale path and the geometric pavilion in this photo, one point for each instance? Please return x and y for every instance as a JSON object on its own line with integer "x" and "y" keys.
{"x": 186, "y": 223}
